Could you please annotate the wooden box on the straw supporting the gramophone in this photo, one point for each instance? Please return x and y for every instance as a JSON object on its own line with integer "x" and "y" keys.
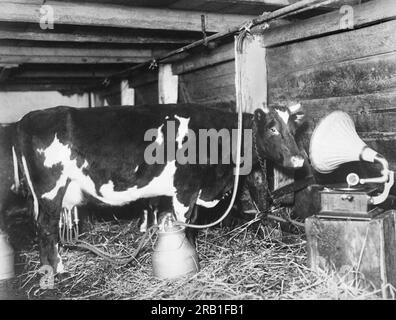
{"x": 368, "y": 246}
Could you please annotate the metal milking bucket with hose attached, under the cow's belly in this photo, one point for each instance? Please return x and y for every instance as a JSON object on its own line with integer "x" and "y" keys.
{"x": 173, "y": 255}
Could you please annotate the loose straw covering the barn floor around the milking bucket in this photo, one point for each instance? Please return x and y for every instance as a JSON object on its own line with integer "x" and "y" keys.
{"x": 250, "y": 262}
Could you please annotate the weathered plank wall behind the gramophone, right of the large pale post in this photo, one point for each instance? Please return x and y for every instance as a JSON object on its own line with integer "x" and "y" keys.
{"x": 354, "y": 71}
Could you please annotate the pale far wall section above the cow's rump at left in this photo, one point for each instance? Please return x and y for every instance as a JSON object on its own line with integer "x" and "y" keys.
{"x": 13, "y": 105}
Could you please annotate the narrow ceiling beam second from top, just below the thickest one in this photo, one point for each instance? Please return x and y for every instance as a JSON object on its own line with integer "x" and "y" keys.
{"x": 96, "y": 37}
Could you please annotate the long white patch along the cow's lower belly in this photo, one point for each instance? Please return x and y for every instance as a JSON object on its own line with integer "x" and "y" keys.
{"x": 161, "y": 185}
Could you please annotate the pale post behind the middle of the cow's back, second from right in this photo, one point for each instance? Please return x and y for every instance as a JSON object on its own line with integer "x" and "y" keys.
{"x": 167, "y": 84}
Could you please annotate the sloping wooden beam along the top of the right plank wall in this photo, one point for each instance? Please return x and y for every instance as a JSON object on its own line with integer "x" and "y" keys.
{"x": 365, "y": 14}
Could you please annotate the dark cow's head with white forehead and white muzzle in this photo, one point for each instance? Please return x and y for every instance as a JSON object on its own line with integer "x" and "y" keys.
{"x": 276, "y": 127}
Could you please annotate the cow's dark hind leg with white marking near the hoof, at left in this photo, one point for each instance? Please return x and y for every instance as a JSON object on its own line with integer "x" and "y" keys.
{"x": 48, "y": 226}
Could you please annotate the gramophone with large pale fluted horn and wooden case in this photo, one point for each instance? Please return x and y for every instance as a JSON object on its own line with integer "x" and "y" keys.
{"x": 333, "y": 143}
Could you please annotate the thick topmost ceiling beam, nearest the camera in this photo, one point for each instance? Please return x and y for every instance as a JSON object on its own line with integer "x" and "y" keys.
{"x": 107, "y": 15}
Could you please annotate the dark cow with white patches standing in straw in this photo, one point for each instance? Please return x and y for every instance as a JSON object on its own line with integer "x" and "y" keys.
{"x": 72, "y": 156}
